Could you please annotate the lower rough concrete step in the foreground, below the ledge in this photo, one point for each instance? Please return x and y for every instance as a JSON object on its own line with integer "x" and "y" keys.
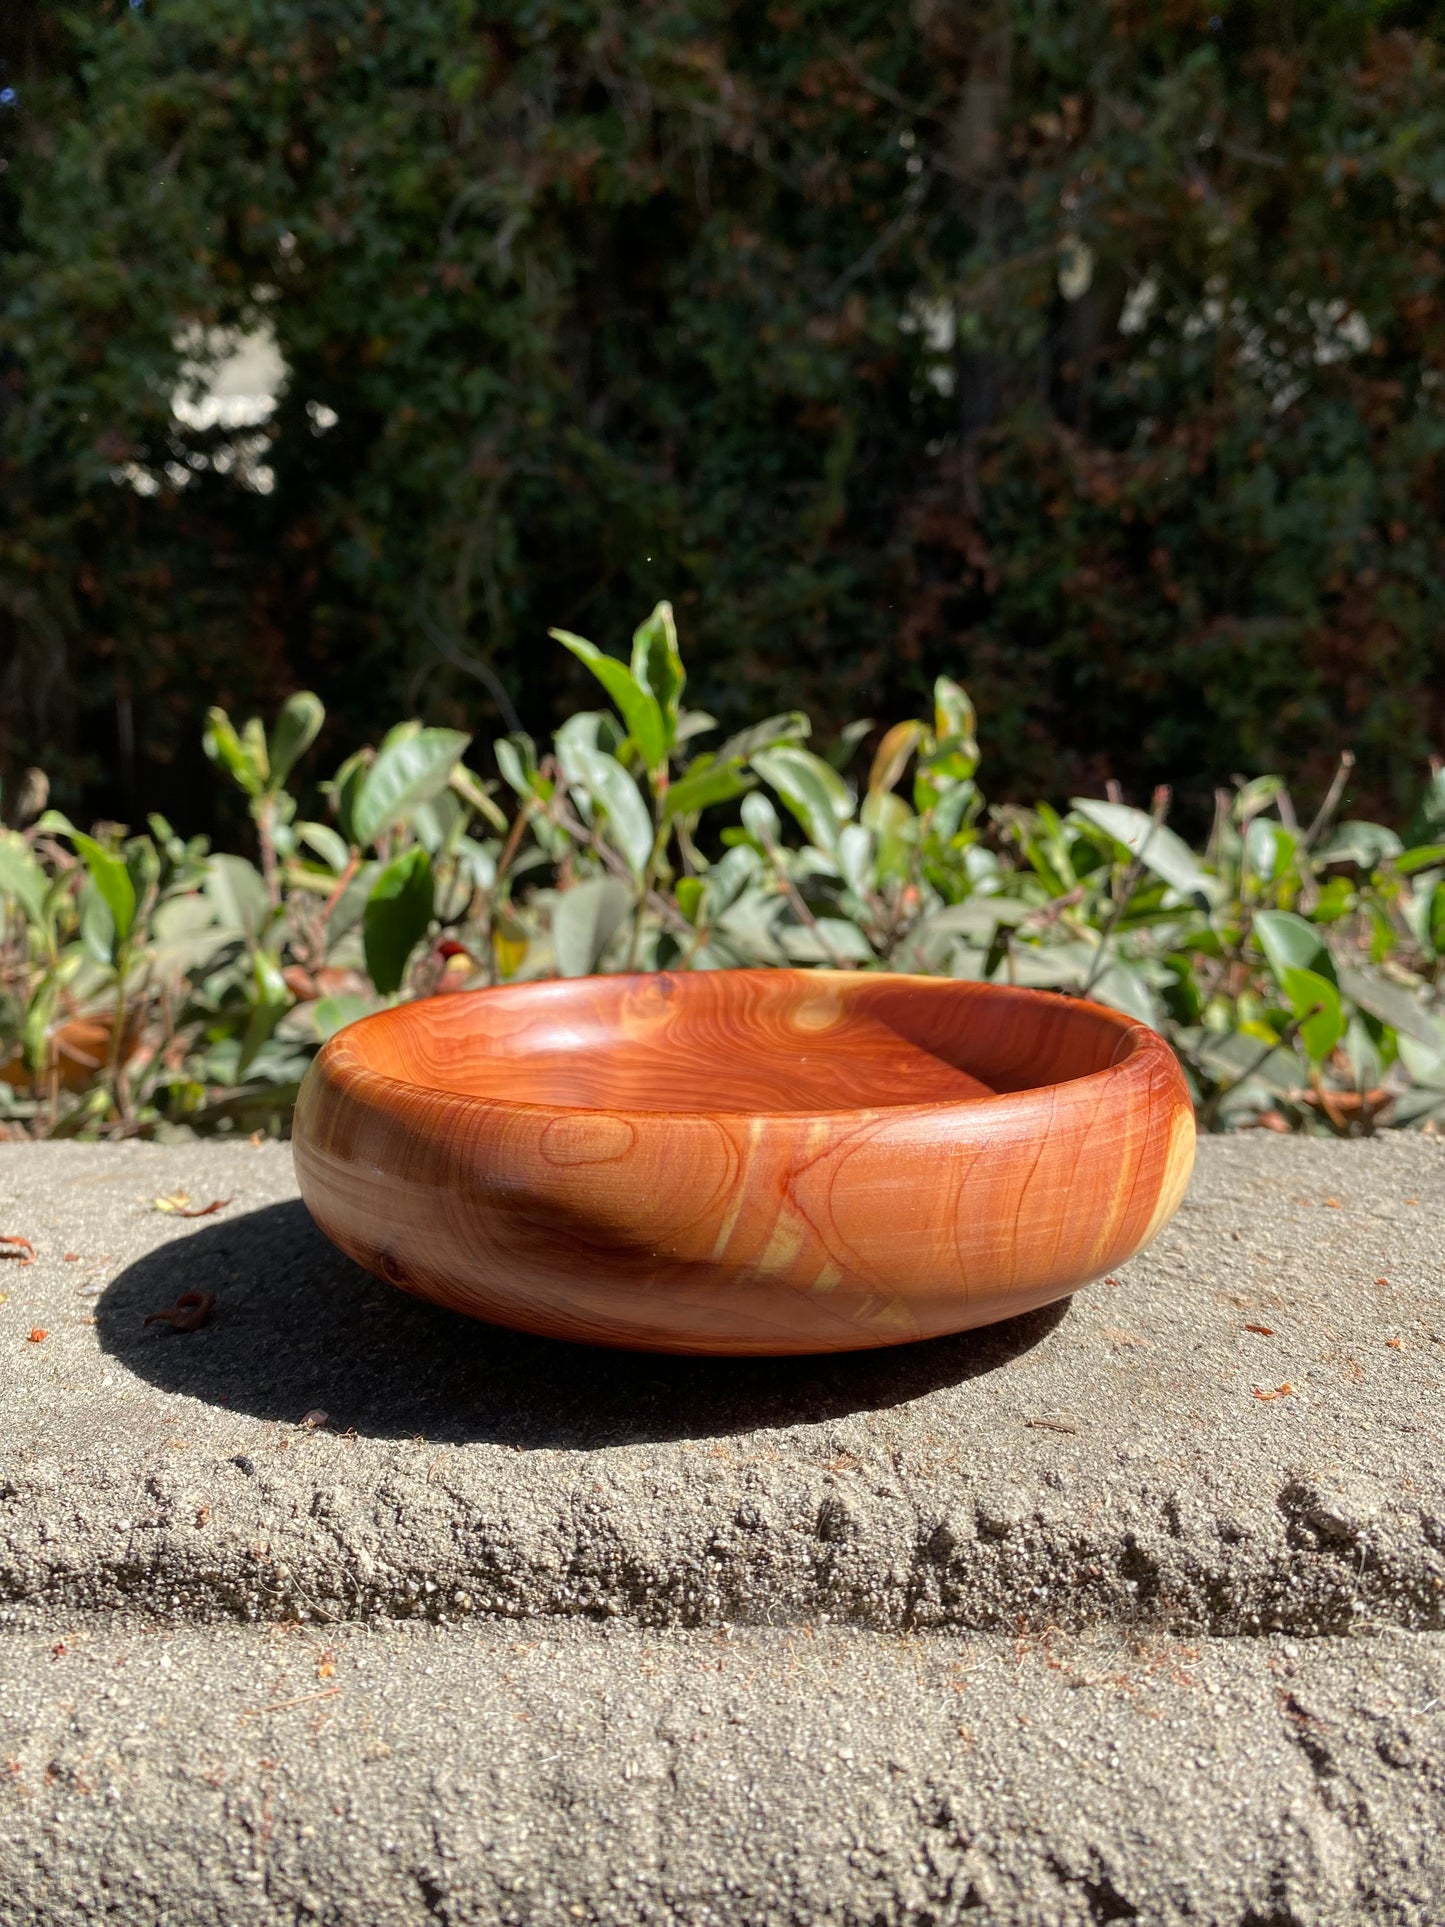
{"x": 373, "y": 1778}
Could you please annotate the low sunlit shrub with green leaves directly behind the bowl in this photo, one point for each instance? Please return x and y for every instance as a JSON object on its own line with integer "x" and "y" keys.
{"x": 151, "y": 984}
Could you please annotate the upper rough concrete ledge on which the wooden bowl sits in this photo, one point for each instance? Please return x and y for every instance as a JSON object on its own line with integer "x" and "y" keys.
{"x": 1238, "y": 1435}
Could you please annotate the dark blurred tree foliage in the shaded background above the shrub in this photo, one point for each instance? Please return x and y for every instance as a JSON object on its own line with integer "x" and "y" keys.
{"x": 1086, "y": 350}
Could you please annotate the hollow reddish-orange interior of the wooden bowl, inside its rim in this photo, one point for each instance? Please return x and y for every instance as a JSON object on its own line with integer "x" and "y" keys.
{"x": 741, "y": 1042}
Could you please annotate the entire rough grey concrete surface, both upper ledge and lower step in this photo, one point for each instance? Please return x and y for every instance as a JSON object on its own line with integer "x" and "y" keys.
{"x": 1130, "y": 1610}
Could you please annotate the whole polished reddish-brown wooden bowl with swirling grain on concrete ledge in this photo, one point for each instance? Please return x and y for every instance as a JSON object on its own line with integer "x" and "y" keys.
{"x": 745, "y": 1161}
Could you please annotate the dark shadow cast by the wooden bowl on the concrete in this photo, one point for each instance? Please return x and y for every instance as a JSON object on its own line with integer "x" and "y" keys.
{"x": 300, "y": 1327}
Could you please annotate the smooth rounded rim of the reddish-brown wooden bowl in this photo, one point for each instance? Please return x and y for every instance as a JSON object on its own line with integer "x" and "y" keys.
{"x": 1140, "y": 1047}
